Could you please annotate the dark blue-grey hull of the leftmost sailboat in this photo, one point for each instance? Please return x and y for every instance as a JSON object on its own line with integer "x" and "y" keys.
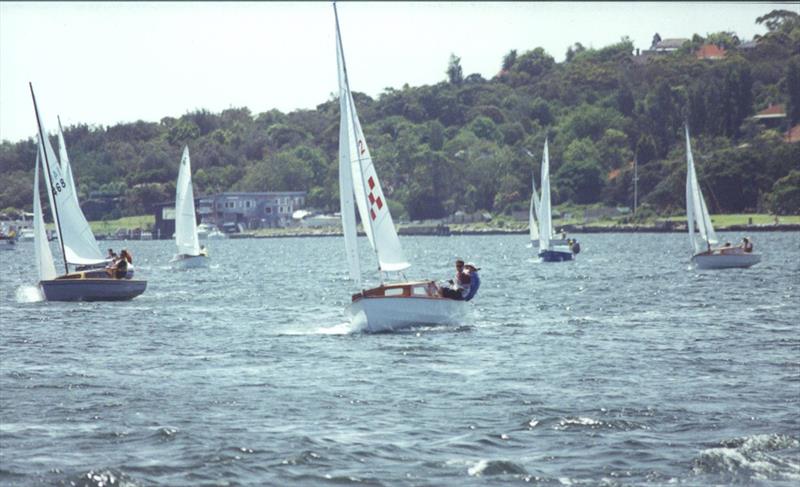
{"x": 92, "y": 289}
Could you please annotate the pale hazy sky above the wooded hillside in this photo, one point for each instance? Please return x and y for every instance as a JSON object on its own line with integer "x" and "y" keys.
{"x": 104, "y": 63}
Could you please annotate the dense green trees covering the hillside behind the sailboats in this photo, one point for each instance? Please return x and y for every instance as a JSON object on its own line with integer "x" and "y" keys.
{"x": 470, "y": 144}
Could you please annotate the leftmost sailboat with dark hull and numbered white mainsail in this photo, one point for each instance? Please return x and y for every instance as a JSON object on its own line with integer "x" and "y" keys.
{"x": 78, "y": 245}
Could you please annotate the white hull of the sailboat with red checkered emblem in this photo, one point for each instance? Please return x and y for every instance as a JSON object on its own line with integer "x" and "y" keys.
{"x": 383, "y": 313}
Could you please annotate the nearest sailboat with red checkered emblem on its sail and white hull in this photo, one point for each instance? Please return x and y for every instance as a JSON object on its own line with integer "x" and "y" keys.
{"x": 395, "y": 305}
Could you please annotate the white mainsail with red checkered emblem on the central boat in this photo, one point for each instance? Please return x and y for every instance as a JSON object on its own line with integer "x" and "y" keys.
{"x": 369, "y": 197}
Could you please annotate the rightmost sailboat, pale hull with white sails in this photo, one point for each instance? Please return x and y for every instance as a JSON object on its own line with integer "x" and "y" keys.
{"x": 705, "y": 256}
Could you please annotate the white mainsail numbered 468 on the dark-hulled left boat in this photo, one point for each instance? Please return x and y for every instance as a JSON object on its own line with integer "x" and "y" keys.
{"x": 80, "y": 246}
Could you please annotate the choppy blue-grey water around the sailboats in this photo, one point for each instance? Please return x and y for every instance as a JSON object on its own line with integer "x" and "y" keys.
{"x": 624, "y": 367}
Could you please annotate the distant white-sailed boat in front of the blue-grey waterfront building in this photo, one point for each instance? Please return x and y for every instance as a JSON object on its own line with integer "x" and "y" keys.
{"x": 190, "y": 253}
